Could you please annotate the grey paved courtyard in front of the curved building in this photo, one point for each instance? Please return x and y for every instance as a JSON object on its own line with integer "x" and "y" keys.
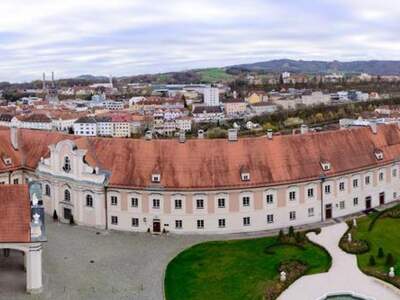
{"x": 85, "y": 263}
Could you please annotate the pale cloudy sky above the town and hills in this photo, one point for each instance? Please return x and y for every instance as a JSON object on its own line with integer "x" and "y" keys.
{"x": 125, "y": 37}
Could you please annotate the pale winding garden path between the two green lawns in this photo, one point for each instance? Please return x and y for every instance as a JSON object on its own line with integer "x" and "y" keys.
{"x": 344, "y": 274}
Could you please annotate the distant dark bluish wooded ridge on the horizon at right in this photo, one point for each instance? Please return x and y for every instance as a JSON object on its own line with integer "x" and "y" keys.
{"x": 373, "y": 67}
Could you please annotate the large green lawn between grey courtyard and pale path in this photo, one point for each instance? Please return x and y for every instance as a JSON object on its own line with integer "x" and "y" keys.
{"x": 232, "y": 270}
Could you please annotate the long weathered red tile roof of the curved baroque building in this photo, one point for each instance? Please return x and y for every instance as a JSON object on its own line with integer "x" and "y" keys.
{"x": 216, "y": 163}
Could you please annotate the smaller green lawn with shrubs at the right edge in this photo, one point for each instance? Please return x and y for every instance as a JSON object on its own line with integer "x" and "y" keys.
{"x": 385, "y": 234}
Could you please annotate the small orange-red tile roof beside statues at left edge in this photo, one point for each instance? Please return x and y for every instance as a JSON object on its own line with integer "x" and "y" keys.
{"x": 15, "y": 214}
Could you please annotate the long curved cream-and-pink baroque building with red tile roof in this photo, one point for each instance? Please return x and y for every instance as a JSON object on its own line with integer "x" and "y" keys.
{"x": 206, "y": 186}
